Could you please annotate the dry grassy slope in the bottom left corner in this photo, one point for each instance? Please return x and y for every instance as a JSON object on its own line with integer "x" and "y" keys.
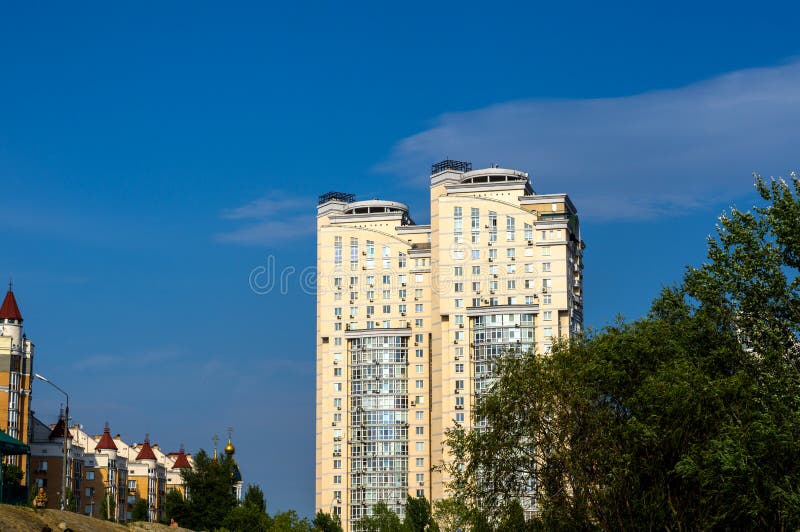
{"x": 22, "y": 519}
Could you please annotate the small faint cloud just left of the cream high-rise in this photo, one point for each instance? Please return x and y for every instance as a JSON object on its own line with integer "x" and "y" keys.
{"x": 269, "y": 220}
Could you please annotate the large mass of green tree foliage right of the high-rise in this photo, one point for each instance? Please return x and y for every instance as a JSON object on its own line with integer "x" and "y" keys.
{"x": 687, "y": 418}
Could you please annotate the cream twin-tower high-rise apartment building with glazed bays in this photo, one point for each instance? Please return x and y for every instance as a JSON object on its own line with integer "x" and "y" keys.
{"x": 410, "y": 318}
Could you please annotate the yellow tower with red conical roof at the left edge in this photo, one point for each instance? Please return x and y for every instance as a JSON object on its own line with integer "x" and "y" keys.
{"x": 16, "y": 372}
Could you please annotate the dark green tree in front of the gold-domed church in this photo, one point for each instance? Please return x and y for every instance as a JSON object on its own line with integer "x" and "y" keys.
{"x": 210, "y": 487}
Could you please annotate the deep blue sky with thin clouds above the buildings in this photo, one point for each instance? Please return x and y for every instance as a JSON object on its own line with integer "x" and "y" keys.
{"x": 152, "y": 154}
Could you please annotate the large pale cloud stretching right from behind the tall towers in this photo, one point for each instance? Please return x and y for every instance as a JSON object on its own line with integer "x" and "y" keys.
{"x": 643, "y": 156}
